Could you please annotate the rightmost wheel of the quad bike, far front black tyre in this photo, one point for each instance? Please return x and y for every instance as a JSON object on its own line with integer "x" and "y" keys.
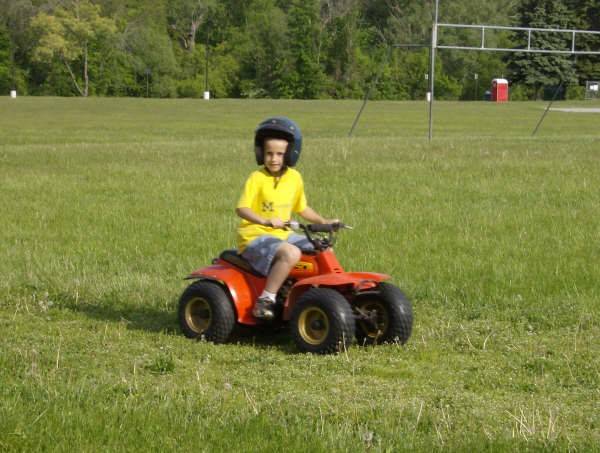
{"x": 383, "y": 316}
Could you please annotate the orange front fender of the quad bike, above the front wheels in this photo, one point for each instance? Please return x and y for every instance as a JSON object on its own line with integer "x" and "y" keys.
{"x": 344, "y": 282}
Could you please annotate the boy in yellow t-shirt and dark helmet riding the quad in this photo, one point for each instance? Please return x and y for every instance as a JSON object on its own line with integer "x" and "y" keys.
{"x": 270, "y": 196}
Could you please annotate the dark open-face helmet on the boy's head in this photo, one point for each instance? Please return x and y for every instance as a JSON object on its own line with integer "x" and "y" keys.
{"x": 279, "y": 127}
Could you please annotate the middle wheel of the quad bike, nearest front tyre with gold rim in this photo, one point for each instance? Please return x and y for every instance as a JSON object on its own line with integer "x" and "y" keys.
{"x": 322, "y": 322}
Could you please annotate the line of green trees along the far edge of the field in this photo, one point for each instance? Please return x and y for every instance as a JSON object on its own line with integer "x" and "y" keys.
{"x": 304, "y": 49}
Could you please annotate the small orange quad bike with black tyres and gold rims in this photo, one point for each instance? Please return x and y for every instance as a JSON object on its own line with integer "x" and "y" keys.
{"x": 325, "y": 306}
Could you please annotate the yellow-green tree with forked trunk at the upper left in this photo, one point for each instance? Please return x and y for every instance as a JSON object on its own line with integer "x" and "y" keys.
{"x": 69, "y": 35}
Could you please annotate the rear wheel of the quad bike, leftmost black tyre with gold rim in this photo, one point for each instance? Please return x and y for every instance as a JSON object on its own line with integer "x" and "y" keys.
{"x": 206, "y": 312}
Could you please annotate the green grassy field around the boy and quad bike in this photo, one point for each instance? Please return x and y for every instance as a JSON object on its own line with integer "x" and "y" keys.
{"x": 106, "y": 204}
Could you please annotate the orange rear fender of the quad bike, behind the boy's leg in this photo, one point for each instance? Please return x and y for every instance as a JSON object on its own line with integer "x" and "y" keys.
{"x": 242, "y": 288}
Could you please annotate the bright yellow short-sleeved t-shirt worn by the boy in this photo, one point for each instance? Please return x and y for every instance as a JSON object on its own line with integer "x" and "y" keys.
{"x": 270, "y": 197}
